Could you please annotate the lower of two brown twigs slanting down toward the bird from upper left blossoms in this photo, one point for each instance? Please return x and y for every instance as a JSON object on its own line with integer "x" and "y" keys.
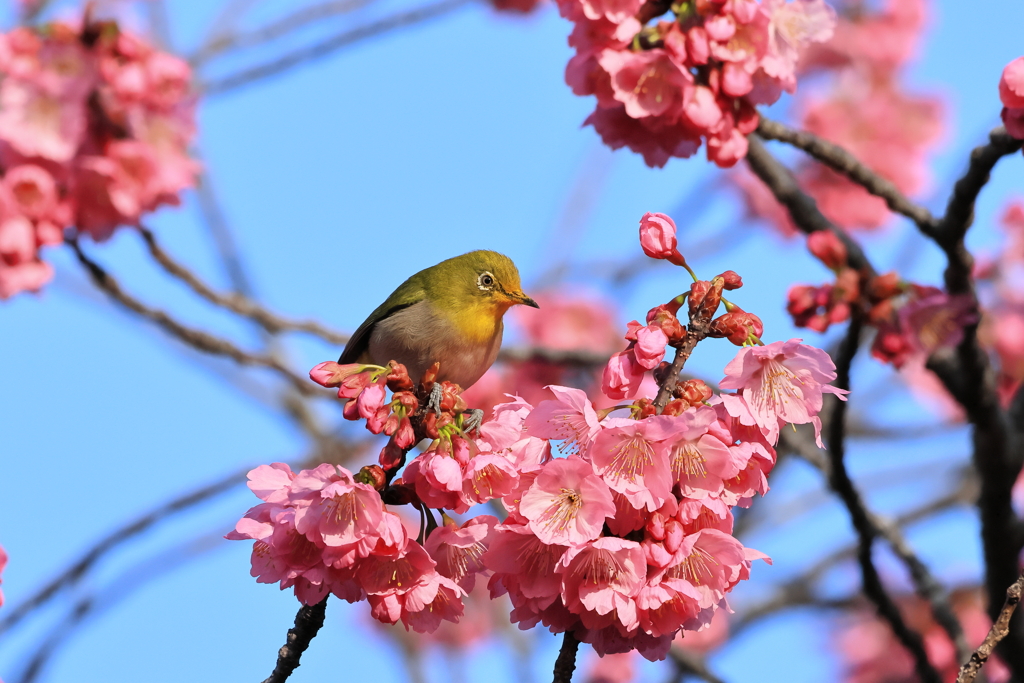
{"x": 198, "y": 339}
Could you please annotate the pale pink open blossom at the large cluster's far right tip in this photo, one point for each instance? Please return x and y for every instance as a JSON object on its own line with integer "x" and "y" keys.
{"x": 783, "y": 382}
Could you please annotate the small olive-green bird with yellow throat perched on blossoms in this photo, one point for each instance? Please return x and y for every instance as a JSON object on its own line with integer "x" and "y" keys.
{"x": 449, "y": 314}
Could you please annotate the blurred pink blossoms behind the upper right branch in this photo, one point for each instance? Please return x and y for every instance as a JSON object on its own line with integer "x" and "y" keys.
{"x": 867, "y": 111}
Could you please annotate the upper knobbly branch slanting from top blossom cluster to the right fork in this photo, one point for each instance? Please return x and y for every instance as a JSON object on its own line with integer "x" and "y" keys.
{"x": 843, "y": 162}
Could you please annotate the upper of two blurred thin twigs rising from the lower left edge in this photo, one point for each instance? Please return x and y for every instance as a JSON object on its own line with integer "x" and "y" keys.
{"x": 101, "y": 549}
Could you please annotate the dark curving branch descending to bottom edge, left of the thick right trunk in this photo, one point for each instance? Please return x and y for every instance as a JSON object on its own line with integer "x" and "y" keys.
{"x": 843, "y": 486}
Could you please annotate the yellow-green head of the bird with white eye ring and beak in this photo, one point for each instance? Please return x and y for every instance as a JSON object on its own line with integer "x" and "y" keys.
{"x": 480, "y": 280}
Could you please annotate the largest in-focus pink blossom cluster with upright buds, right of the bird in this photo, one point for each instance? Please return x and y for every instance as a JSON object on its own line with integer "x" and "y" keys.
{"x": 626, "y": 540}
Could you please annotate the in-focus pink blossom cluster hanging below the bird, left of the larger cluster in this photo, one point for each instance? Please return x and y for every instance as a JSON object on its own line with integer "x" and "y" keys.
{"x": 324, "y": 532}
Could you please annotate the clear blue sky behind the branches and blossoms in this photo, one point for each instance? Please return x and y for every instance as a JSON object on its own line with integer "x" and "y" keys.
{"x": 339, "y": 180}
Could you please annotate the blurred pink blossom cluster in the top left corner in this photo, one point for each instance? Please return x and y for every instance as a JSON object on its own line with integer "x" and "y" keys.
{"x": 95, "y": 130}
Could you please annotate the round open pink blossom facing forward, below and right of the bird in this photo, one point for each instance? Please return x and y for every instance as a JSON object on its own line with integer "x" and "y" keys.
{"x": 568, "y": 503}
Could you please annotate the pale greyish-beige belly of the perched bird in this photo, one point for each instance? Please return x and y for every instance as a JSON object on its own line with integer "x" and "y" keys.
{"x": 417, "y": 338}
